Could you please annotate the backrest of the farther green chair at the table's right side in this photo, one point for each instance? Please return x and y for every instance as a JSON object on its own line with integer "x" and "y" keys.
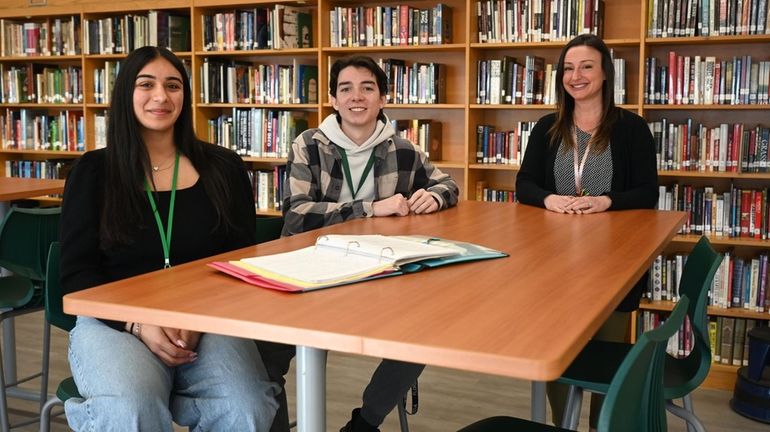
{"x": 689, "y": 372}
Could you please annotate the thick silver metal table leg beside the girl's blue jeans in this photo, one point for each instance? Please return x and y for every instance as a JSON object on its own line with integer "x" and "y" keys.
{"x": 311, "y": 389}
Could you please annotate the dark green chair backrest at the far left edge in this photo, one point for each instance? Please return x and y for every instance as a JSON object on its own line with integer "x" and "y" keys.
{"x": 25, "y": 237}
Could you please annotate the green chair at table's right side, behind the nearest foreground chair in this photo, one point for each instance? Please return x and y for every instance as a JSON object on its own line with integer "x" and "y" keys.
{"x": 596, "y": 364}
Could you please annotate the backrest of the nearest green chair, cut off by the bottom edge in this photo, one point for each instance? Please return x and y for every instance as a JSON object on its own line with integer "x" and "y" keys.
{"x": 635, "y": 401}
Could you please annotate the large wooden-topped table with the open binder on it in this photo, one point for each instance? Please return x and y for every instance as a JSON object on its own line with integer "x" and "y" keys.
{"x": 525, "y": 316}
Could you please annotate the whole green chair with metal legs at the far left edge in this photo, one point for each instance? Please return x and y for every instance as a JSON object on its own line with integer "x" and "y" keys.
{"x": 25, "y": 236}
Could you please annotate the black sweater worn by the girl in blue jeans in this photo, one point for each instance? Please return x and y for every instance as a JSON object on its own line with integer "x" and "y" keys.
{"x": 85, "y": 264}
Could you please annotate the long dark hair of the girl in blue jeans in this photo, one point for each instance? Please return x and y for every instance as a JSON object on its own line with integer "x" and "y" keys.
{"x": 127, "y": 162}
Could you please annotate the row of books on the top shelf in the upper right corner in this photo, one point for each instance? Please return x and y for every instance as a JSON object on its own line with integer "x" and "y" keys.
{"x": 683, "y": 18}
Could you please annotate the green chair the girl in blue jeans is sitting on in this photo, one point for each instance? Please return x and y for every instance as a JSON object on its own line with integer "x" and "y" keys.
{"x": 54, "y": 314}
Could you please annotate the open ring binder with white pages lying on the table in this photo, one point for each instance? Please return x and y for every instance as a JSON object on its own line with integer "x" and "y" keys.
{"x": 343, "y": 259}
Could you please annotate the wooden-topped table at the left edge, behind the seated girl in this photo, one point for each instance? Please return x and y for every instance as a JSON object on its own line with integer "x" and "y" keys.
{"x": 12, "y": 188}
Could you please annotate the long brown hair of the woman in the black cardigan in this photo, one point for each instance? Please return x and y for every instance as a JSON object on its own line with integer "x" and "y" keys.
{"x": 565, "y": 104}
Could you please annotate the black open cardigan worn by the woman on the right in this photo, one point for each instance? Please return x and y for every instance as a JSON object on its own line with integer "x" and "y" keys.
{"x": 634, "y": 180}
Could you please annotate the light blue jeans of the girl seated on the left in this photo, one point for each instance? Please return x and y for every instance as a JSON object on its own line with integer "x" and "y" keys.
{"x": 125, "y": 387}
